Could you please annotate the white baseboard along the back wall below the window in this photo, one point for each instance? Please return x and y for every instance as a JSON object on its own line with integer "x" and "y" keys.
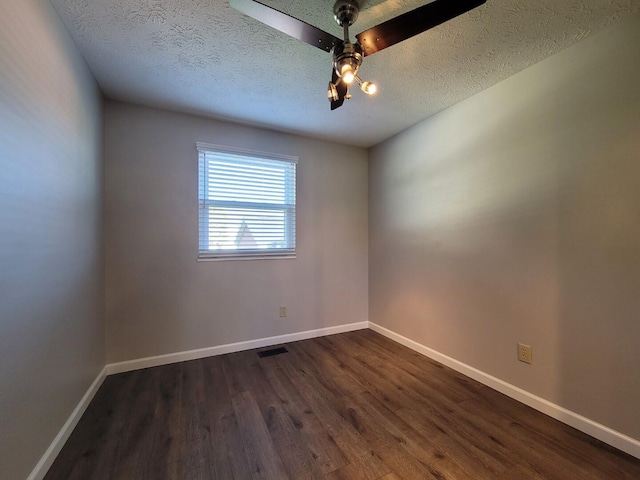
{"x": 155, "y": 361}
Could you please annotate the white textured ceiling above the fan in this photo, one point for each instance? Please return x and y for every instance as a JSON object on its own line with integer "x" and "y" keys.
{"x": 202, "y": 56}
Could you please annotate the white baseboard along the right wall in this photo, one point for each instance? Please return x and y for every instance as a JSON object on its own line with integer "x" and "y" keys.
{"x": 597, "y": 430}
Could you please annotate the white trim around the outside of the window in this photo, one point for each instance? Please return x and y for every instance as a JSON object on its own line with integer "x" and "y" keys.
{"x": 248, "y": 254}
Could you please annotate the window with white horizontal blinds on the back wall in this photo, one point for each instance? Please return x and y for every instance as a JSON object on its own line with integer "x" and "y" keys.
{"x": 247, "y": 203}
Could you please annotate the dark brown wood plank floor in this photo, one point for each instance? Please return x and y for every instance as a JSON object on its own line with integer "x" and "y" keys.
{"x": 349, "y": 406}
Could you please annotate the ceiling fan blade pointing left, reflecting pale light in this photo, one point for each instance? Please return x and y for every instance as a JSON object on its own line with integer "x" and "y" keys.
{"x": 286, "y": 23}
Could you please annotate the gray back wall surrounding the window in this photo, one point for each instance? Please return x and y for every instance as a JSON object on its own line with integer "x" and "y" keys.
{"x": 160, "y": 300}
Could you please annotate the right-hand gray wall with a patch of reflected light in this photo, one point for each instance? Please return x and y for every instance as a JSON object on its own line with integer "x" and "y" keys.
{"x": 514, "y": 216}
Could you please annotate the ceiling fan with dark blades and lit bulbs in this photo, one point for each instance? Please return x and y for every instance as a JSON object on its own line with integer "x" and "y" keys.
{"x": 347, "y": 56}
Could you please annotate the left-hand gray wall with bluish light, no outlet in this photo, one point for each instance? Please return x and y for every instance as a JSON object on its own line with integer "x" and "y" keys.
{"x": 51, "y": 329}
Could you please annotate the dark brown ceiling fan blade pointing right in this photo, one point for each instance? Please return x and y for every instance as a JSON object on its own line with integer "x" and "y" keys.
{"x": 412, "y": 23}
